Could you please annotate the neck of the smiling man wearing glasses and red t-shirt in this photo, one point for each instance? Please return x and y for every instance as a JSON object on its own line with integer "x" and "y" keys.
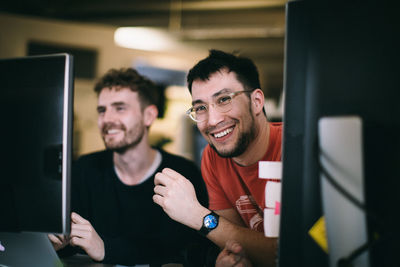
{"x": 258, "y": 147}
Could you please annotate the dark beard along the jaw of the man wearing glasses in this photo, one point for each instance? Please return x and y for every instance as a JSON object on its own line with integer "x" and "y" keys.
{"x": 241, "y": 144}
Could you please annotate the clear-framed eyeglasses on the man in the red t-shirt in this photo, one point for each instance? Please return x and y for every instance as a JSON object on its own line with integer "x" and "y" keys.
{"x": 222, "y": 103}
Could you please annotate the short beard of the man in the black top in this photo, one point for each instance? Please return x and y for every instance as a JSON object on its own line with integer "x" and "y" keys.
{"x": 131, "y": 139}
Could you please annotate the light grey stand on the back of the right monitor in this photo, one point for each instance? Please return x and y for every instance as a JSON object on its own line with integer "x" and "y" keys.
{"x": 341, "y": 156}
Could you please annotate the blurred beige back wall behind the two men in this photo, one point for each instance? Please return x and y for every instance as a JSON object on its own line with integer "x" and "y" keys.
{"x": 16, "y": 31}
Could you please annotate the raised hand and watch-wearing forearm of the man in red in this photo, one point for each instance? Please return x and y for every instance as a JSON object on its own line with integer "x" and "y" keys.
{"x": 175, "y": 194}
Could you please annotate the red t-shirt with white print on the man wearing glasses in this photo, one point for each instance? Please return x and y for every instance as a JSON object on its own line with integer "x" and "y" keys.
{"x": 226, "y": 191}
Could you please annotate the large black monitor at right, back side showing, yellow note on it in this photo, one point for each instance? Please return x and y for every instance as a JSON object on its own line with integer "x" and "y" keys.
{"x": 341, "y": 62}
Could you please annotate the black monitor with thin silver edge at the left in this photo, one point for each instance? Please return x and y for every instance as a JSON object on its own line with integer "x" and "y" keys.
{"x": 36, "y": 100}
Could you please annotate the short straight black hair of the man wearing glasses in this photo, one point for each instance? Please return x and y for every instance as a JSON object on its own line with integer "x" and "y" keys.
{"x": 246, "y": 71}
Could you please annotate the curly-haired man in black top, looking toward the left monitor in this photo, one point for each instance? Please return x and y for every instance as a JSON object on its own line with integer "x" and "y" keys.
{"x": 114, "y": 218}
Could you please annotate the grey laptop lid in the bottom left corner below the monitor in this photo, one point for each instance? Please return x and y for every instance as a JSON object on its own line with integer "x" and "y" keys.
{"x": 27, "y": 249}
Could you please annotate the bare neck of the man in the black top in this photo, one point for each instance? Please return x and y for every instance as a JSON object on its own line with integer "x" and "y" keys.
{"x": 134, "y": 163}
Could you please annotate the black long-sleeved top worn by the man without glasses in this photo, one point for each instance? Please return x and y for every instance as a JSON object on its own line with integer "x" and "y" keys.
{"x": 134, "y": 229}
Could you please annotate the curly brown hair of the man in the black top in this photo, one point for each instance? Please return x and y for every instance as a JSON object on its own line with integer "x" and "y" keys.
{"x": 130, "y": 78}
